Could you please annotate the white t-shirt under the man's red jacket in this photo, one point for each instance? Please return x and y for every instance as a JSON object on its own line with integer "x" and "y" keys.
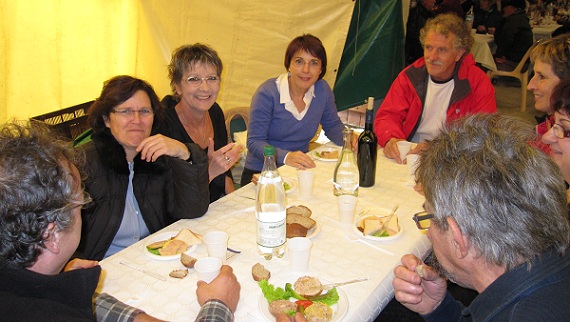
{"x": 434, "y": 114}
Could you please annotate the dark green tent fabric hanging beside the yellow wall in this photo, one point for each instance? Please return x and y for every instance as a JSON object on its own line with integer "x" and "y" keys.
{"x": 373, "y": 54}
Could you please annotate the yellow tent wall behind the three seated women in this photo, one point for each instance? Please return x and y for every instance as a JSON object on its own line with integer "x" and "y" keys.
{"x": 58, "y": 53}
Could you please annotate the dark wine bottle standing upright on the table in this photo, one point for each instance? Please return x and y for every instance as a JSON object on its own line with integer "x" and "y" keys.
{"x": 367, "y": 149}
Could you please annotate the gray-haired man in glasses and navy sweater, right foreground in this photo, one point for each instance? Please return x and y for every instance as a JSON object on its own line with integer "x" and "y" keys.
{"x": 498, "y": 223}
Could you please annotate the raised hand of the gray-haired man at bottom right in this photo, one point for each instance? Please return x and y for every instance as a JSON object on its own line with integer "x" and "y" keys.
{"x": 419, "y": 294}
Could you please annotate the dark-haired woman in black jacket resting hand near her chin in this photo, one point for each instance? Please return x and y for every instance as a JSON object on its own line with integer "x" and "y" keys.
{"x": 140, "y": 182}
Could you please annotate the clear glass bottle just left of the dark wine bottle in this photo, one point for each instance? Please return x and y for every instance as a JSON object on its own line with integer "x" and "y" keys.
{"x": 345, "y": 179}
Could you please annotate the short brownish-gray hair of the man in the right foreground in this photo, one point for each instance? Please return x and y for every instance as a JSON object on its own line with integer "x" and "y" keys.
{"x": 507, "y": 196}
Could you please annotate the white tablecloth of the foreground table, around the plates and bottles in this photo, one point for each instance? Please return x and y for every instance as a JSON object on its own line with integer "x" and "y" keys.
{"x": 334, "y": 257}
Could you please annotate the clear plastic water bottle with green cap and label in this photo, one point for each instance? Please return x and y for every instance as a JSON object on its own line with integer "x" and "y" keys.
{"x": 270, "y": 208}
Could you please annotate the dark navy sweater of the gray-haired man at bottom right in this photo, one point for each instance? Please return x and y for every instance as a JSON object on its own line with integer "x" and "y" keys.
{"x": 540, "y": 293}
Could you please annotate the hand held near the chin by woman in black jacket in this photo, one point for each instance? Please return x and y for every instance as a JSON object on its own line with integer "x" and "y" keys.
{"x": 157, "y": 145}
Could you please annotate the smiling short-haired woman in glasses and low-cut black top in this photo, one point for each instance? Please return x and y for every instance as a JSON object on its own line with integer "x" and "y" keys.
{"x": 193, "y": 116}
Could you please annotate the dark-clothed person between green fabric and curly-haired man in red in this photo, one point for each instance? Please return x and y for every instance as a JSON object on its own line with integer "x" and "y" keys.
{"x": 417, "y": 19}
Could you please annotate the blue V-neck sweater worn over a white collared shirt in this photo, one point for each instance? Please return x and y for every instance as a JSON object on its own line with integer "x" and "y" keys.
{"x": 270, "y": 123}
